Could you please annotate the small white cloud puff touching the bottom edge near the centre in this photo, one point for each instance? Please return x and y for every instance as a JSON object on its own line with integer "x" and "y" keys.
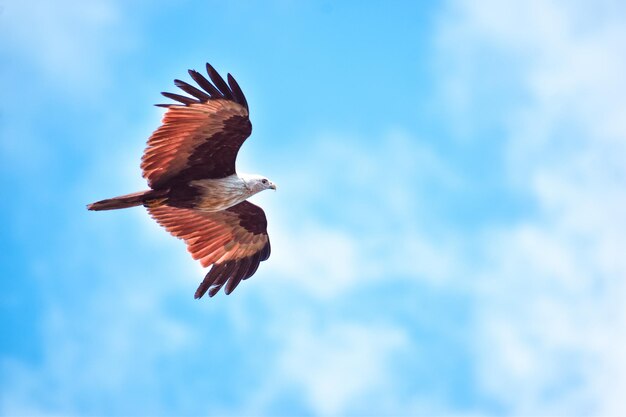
{"x": 343, "y": 367}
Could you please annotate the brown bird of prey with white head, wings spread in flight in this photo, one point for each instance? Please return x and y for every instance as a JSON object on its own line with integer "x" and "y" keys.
{"x": 195, "y": 192}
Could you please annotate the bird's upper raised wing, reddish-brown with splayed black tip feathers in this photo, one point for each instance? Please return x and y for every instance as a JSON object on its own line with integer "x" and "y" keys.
{"x": 199, "y": 138}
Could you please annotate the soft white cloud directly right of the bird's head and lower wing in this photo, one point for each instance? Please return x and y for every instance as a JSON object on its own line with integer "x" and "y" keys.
{"x": 376, "y": 233}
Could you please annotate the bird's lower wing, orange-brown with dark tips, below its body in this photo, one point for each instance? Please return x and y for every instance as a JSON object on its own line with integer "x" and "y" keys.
{"x": 234, "y": 241}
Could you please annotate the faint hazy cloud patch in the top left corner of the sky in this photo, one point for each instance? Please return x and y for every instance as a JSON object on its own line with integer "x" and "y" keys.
{"x": 65, "y": 41}
